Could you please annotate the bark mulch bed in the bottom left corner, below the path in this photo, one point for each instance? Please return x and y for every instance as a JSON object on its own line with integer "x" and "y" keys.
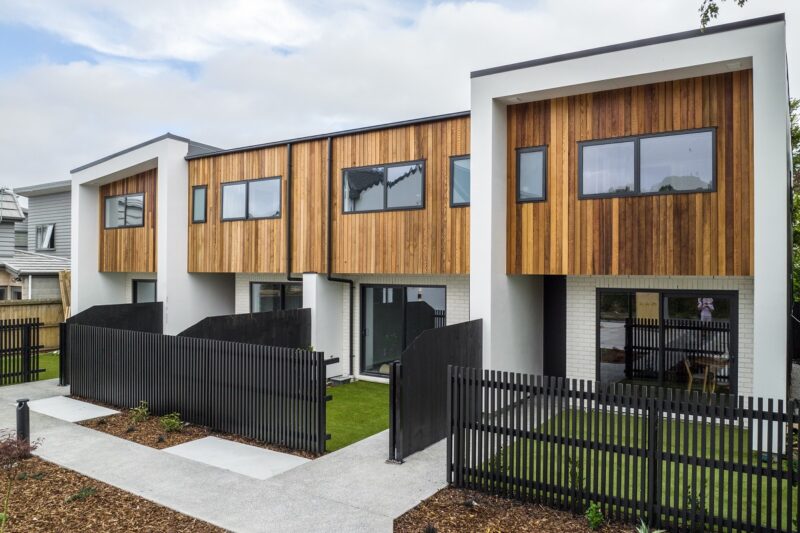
{"x": 46, "y": 497}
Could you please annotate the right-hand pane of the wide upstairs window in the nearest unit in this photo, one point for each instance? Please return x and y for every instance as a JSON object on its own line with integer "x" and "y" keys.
{"x": 683, "y": 162}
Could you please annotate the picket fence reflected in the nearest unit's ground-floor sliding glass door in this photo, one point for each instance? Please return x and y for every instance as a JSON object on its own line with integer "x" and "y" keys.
{"x": 660, "y": 350}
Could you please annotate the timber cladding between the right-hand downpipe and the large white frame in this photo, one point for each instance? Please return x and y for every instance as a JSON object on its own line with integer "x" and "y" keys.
{"x": 433, "y": 240}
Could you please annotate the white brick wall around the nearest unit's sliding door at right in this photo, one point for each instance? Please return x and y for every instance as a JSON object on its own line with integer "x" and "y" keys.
{"x": 582, "y": 321}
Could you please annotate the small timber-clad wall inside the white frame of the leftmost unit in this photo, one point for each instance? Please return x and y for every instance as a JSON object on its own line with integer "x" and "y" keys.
{"x": 130, "y": 249}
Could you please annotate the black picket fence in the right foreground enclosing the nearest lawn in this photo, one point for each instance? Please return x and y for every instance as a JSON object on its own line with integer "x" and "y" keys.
{"x": 680, "y": 460}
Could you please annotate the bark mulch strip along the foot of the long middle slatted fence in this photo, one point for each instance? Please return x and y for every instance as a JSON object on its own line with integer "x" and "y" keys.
{"x": 150, "y": 432}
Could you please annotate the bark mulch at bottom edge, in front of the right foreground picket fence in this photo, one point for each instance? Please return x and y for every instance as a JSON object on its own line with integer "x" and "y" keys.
{"x": 456, "y": 510}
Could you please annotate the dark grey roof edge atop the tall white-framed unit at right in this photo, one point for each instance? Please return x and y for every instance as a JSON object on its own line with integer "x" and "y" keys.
{"x": 632, "y": 44}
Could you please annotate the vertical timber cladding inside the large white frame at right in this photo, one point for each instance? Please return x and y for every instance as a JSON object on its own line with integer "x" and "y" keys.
{"x": 680, "y": 234}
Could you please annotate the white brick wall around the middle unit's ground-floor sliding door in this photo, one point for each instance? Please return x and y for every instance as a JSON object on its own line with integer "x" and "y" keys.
{"x": 457, "y": 300}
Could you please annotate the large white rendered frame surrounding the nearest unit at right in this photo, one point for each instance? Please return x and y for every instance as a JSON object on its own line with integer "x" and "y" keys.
{"x": 760, "y": 47}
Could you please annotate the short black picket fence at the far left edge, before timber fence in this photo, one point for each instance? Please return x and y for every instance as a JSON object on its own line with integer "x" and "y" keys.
{"x": 19, "y": 350}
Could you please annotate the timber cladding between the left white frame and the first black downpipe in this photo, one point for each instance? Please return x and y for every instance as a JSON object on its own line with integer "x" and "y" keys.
{"x": 237, "y": 245}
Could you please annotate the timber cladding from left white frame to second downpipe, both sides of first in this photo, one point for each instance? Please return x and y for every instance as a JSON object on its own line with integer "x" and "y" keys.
{"x": 260, "y": 245}
